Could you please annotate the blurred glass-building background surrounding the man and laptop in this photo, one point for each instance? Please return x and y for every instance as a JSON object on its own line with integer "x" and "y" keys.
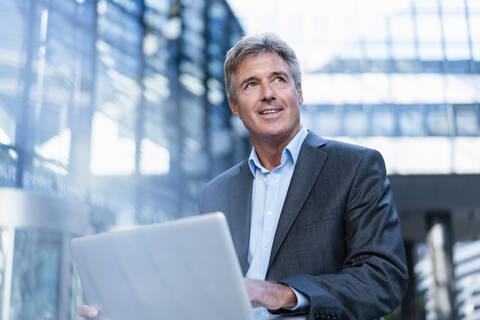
{"x": 113, "y": 113}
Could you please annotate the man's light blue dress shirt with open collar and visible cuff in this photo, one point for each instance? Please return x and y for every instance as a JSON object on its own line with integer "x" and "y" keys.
{"x": 268, "y": 195}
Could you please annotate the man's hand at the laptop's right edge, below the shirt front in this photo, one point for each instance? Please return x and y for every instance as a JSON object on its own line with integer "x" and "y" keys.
{"x": 270, "y": 295}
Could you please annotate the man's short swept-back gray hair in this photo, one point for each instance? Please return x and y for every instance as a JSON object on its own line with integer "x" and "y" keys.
{"x": 254, "y": 45}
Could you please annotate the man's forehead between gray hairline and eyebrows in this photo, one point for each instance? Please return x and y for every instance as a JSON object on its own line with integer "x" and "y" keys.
{"x": 262, "y": 64}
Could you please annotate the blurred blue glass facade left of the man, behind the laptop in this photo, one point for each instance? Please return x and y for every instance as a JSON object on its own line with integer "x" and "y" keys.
{"x": 117, "y": 103}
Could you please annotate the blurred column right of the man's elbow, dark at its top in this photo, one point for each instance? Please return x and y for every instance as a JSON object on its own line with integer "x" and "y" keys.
{"x": 440, "y": 242}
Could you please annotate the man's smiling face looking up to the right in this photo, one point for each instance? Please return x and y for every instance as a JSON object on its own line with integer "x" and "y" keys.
{"x": 267, "y": 100}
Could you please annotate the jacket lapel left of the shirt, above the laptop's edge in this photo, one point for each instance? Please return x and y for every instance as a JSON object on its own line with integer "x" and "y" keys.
{"x": 240, "y": 207}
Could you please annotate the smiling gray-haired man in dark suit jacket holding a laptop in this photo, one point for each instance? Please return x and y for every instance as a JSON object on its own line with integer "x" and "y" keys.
{"x": 312, "y": 220}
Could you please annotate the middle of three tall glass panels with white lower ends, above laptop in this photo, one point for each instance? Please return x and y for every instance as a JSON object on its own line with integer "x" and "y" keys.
{"x": 118, "y": 95}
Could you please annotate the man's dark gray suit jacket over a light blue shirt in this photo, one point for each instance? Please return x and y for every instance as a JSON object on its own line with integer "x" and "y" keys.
{"x": 338, "y": 239}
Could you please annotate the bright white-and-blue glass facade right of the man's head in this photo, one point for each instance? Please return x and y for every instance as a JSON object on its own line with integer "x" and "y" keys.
{"x": 408, "y": 70}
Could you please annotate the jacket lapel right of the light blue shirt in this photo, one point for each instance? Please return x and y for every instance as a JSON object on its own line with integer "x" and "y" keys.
{"x": 309, "y": 164}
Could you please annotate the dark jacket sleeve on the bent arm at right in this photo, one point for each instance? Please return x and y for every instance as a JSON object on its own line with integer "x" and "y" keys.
{"x": 374, "y": 277}
